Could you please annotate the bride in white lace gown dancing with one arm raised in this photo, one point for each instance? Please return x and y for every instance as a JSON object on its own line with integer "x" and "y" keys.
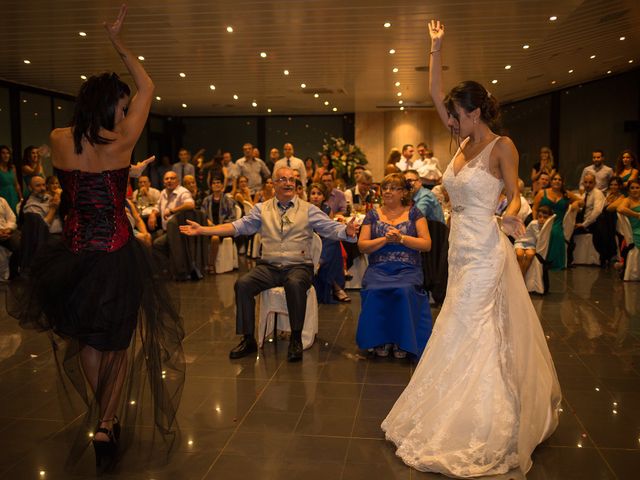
{"x": 485, "y": 392}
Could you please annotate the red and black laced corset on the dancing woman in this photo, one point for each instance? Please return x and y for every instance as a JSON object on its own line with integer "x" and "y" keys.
{"x": 93, "y": 207}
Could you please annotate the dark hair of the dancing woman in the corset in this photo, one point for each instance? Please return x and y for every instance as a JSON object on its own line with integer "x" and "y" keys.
{"x": 96, "y": 107}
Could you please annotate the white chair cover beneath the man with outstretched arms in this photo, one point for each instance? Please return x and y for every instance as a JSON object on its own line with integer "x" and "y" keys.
{"x": 274, "y": 302}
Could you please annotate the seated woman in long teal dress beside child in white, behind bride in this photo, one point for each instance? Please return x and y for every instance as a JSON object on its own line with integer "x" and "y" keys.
{"x": 559, "y": 200}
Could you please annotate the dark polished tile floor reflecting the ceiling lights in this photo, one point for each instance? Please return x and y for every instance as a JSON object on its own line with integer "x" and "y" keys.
{"x": 262, "y": 418}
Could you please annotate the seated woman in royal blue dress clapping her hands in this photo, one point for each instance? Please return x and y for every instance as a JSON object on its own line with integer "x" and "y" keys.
{"x": 395, "y": 309}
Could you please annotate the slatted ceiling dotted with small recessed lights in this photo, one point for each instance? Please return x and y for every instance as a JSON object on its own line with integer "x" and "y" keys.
{"x": 338, "y": 48}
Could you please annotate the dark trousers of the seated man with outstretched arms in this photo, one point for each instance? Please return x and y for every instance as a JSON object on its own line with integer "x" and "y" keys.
{"x": 296, "y": 280}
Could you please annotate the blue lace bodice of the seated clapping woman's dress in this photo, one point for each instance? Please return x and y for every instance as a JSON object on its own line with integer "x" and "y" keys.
{"x": 393, "y": 252}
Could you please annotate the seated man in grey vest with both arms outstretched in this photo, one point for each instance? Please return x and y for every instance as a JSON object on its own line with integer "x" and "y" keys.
{"x": 286, "y": 225}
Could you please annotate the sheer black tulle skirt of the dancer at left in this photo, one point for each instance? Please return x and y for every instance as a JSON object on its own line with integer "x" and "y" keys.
{"x": 118, "y": 304}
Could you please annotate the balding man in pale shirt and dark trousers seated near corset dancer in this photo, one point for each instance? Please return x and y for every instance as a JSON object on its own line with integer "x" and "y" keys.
{"x": 174, "y": 199}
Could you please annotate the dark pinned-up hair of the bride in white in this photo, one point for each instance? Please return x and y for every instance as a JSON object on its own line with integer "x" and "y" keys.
{"x": 471, "y": 95}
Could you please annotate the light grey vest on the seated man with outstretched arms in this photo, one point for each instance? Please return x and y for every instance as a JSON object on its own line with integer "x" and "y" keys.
{"x": 286, "y": 239}
